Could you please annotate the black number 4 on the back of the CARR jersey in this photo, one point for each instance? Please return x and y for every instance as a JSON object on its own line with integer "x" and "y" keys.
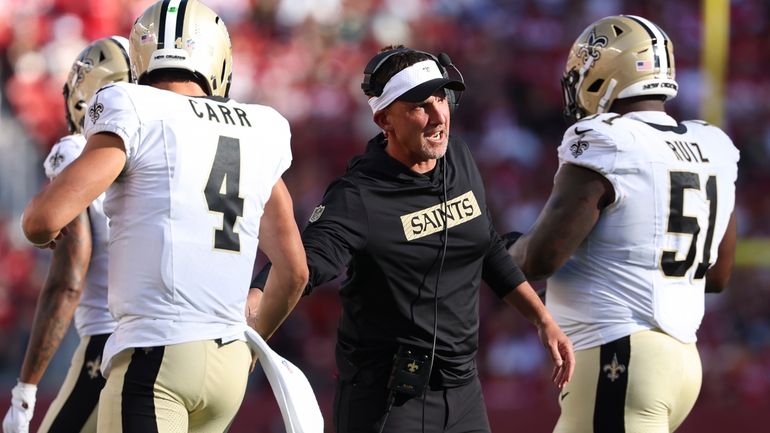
{"x": 222, "y": 192}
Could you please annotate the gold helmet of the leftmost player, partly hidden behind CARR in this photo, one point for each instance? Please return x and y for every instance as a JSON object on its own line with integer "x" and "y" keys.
{"x": 102, "y": 62}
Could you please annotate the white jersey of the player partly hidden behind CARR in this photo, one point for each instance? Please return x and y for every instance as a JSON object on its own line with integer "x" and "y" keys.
{"x": 92, "y": 317}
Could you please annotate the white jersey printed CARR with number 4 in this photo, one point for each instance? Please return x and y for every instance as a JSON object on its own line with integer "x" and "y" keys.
{"x": 185, "y": 211}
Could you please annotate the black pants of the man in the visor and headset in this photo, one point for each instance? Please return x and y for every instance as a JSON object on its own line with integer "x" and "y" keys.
{"x": 360, "y": 408}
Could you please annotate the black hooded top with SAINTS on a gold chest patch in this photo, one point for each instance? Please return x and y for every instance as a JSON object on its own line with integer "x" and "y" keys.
{"x": 385, "y": 224}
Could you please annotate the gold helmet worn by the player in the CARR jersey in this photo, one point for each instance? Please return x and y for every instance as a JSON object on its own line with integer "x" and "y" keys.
{"x": 183, "y": 34}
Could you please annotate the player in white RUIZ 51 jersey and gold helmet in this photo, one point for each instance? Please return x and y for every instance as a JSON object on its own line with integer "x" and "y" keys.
{"x": 638, "y": 226}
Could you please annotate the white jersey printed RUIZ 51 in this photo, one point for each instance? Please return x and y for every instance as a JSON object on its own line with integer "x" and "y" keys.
{"x": 643, "y": 264}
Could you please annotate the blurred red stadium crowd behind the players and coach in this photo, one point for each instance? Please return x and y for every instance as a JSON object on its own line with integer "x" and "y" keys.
{"x": 305, "y": 57}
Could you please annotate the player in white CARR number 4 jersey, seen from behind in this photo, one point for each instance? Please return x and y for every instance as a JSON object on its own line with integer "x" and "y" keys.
{"x": 195, "y": 186}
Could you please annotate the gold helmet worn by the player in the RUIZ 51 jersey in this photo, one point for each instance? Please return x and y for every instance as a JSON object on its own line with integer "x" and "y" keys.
{"x": 617, "y": 57}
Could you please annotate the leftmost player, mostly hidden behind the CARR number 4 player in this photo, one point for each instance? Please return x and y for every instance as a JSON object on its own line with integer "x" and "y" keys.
{"x": 76, "y": 284}
